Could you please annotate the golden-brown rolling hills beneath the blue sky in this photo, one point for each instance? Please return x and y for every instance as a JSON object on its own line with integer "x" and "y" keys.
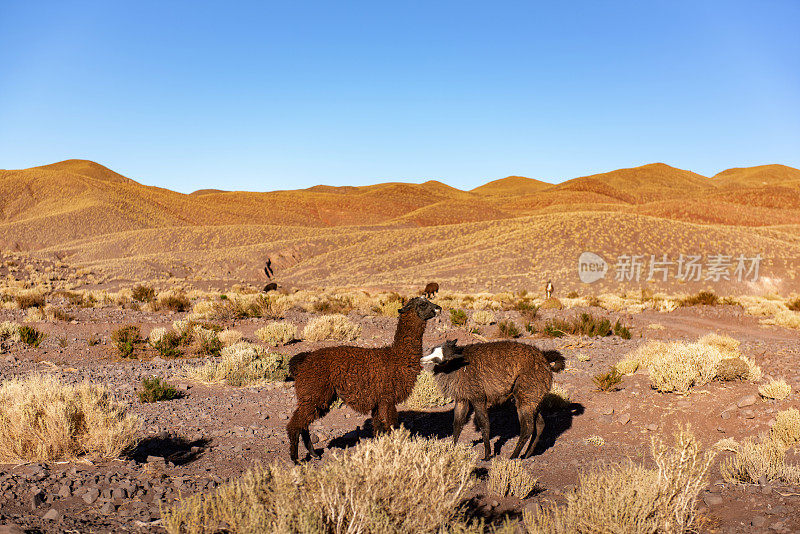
{"x": 508, "y": 233}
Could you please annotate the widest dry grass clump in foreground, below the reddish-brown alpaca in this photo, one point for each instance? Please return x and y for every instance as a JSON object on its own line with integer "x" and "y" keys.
{"x": 394, "y": 483}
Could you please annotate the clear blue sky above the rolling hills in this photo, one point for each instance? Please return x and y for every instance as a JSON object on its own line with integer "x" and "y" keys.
{"x": 282, "y": 95}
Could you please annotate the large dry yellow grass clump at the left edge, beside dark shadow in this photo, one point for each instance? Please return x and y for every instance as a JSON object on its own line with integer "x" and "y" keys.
{"x": 43, "y": 420}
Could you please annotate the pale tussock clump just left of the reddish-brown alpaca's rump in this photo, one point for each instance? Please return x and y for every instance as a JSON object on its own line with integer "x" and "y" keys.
{"x": 242, "y": 364}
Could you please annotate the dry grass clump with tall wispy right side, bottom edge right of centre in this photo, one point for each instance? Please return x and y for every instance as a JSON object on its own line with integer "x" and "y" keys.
{"x": 632, "y": 498}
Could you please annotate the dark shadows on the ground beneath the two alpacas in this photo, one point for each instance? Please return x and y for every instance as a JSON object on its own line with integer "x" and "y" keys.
{"x": 502, "y": 419}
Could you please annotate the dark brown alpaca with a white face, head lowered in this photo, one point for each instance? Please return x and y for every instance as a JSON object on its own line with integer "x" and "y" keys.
{"x": 488, "y": 374}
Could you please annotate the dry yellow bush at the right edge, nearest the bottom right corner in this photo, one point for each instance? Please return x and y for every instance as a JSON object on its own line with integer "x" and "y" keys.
{"x": 759, "y": 460}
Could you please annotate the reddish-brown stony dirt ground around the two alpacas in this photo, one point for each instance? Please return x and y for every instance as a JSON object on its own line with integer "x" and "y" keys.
{"x": 215, "y": 432}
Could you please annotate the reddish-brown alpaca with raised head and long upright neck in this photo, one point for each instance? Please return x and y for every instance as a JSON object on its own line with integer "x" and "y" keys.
{"x": 369, "y": 380}
